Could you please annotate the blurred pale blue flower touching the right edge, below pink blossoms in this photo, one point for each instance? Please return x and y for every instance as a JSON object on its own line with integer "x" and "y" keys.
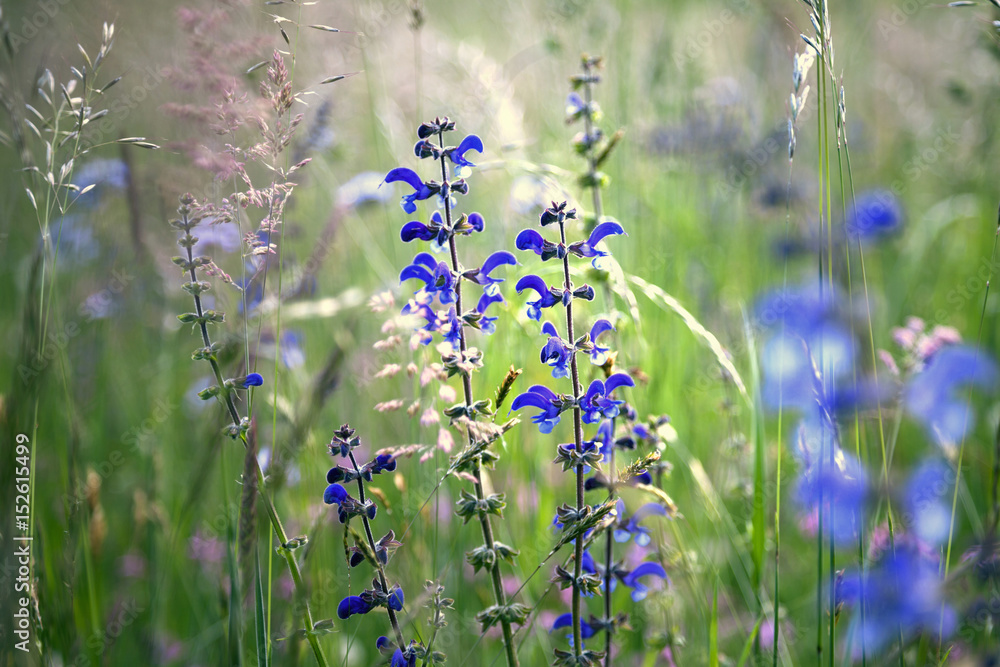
{"x": 932, "y": 396}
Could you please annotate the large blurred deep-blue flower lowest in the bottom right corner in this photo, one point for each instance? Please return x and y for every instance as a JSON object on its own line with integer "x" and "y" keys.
{"x": 902, "y": 592}
